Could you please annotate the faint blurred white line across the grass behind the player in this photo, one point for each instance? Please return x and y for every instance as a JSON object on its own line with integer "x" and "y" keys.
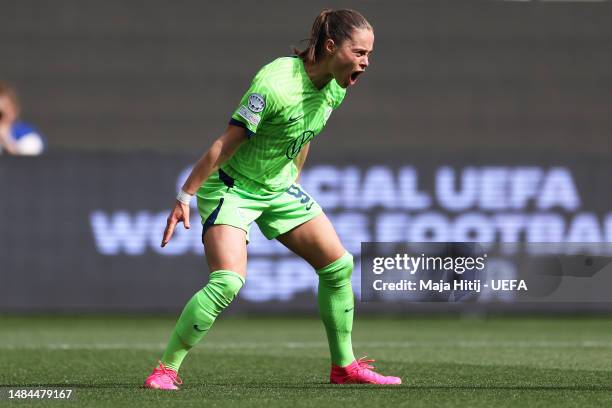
{"x": 307, "y": 345}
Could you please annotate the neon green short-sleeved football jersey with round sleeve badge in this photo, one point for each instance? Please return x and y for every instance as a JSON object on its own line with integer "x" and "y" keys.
{"x": 282, "y": 111}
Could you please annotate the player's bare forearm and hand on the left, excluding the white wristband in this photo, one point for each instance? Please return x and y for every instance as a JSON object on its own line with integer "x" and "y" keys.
{"x": 221, "y": 150}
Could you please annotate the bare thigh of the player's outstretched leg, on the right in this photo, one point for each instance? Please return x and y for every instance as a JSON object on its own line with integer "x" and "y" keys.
{"x": 315, "y": 240}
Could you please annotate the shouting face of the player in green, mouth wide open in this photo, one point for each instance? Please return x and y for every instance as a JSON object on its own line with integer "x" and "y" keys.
{"x": 352, "y": 57}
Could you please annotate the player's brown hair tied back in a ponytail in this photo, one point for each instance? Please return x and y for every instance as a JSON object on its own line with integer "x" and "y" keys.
{"x": 337, "y": 25}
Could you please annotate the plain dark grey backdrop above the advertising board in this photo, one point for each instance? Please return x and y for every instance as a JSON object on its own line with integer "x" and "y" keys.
{"x": 446, "y": 75}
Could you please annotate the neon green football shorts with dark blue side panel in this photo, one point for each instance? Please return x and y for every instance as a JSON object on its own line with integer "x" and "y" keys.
{"x": 221, "y": 200}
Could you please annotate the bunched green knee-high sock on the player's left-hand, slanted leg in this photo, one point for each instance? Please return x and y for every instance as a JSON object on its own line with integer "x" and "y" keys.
{"x": 199, "y": 314}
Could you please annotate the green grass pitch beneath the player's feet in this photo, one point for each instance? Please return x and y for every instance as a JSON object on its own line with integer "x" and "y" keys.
{"x": 283, "y": 362}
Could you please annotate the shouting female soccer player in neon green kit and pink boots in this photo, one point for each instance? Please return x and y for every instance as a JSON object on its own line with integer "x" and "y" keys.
{"x": 250, "y": 174}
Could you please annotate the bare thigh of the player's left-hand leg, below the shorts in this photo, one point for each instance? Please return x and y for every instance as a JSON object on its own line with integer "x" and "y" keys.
{"x": 225, "y": 248}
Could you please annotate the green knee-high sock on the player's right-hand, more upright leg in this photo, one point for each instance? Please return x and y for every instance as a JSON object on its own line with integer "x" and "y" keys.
{"x": 336, "y": 304}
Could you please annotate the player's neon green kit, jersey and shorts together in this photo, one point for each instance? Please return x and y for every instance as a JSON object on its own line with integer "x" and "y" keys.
{"x": 281, "y": 112}
